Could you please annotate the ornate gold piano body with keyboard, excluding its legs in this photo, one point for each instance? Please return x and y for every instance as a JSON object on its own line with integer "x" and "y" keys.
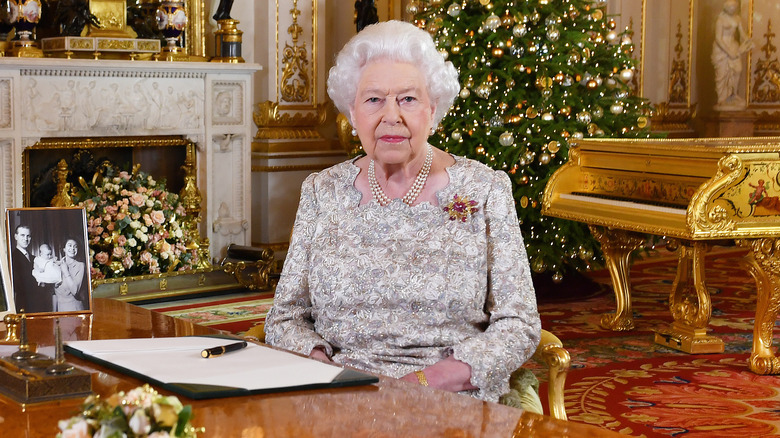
{"x": 696, "y": 189}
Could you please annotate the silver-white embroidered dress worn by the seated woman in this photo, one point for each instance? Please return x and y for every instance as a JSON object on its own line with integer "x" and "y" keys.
{"x": 393, "y": 289}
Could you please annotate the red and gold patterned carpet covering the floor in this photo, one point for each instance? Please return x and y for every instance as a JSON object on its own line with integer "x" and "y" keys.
{"x": 621, "y": 380}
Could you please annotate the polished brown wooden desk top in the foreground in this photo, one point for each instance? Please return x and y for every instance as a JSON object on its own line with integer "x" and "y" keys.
{"x": 390, "y": 408}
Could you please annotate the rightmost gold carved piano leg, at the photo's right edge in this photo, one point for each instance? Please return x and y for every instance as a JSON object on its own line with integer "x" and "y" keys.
{"x": 764, "y": 266}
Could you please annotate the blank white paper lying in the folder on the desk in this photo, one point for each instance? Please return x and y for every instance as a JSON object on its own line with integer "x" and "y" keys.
{"x": 179, "y": 360}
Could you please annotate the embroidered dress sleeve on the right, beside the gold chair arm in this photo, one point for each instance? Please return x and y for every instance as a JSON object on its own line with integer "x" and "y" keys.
{"x": 514, "y": 329}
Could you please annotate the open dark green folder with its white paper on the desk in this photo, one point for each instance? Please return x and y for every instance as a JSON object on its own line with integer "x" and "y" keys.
{"x": 176, "y": 364}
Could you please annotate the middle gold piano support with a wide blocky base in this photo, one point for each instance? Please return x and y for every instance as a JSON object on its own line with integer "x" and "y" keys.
{"x": 688, "y": 332}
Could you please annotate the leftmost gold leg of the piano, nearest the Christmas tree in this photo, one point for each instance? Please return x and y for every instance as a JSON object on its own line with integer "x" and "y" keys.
{"x": 617, "y": 246}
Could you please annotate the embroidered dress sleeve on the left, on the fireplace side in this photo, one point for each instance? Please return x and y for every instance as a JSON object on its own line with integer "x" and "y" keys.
{"x": 289, "y": 323}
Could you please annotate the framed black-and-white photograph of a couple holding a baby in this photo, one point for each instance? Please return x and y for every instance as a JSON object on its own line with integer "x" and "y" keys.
{"x": 48, "y": 260}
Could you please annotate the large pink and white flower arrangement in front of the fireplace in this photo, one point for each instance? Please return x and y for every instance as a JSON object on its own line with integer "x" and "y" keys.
{"x": 134, "y": 225}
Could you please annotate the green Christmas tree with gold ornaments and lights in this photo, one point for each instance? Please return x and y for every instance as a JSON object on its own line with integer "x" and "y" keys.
{"x": 535, "y": 75}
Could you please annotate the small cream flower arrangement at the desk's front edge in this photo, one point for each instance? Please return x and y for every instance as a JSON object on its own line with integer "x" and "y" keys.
{"x": 141, "y": 413}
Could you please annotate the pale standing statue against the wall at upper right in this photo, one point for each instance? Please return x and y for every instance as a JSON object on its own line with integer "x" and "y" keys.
{"x": 730, "y": 44}
